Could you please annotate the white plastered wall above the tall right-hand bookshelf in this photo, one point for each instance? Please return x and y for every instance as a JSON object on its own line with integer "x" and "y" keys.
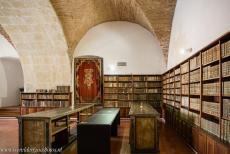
{"x": 196, "y": 23}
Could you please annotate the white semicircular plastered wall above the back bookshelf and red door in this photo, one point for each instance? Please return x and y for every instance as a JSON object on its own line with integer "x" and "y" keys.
{"x": 123, "y": 42}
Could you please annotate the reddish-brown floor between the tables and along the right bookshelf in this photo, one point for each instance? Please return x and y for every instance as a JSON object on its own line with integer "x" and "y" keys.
{"x": 170, "y": 142}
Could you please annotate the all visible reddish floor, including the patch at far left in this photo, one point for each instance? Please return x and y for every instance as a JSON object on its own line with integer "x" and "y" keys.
{"x": 170, "y": 142}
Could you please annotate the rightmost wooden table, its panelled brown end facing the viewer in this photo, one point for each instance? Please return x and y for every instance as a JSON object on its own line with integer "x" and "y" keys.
{"x": 144, "y": 134}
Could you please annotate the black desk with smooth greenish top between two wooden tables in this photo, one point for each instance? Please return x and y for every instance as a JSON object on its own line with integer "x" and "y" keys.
{"x": 94, "y": 134}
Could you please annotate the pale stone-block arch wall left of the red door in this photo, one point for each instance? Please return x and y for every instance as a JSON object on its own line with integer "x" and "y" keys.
{"x": 37, "y": 35}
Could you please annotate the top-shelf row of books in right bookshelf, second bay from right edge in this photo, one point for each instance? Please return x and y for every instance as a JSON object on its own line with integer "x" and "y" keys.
{"x": 210, "y": 55}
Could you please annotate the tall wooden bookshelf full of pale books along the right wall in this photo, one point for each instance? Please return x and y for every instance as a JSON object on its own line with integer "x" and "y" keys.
{"x": 204, "y": 83}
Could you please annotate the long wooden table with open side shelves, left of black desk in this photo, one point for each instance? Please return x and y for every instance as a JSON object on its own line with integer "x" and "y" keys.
{"x": 52, "y": 129}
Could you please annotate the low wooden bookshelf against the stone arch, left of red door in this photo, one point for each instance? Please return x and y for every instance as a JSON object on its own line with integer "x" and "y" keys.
{"x": 41, "y": 101}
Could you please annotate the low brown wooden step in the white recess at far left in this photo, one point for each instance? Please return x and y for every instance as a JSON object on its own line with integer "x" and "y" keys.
{"x": 12, "y": 111}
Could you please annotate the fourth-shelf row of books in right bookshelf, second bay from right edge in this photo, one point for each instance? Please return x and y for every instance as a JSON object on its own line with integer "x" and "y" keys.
{"x": 211, "y": 108}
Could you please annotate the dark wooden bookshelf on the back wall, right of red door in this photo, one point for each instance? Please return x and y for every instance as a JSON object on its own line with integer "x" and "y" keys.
{"x": 121, "y": 90}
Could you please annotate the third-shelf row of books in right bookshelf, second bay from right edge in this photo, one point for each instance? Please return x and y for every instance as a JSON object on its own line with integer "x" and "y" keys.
{"x": 211, "y": 89}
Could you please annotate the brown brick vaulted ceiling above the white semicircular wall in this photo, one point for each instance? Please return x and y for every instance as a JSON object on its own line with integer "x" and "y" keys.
{"x": 78, "y": 16}
